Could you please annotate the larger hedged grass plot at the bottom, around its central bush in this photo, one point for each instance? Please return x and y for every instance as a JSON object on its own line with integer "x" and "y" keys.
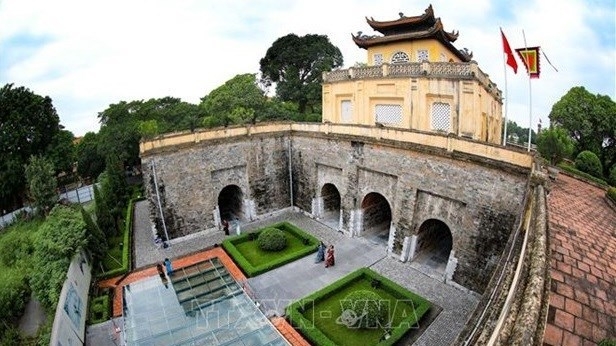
{"x": 318, "y": 316}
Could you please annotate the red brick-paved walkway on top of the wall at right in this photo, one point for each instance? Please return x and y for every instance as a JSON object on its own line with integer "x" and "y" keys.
{"x": 583, "y": 259}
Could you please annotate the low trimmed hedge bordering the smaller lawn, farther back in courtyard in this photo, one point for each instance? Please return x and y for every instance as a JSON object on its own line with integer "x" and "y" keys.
{"x": 230, "y": 245}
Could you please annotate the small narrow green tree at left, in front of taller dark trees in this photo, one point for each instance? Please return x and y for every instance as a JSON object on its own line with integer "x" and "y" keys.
{"x": 42, "y": 183}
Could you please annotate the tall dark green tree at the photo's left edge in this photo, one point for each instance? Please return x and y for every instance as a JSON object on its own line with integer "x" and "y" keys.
{"x": 28, "y": 125}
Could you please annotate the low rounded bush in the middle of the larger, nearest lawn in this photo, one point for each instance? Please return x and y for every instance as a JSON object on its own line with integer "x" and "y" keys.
{"x": 363, "y": 309}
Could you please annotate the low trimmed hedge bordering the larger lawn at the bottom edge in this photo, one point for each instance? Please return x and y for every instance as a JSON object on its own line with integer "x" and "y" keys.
{"x": 295, "y": 311}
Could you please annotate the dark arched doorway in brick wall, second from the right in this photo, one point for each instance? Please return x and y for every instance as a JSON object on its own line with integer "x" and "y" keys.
{"x": 376, "y": 218}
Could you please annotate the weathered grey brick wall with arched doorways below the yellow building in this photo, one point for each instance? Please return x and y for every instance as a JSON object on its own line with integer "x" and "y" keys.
{"x": 478, "y": 203}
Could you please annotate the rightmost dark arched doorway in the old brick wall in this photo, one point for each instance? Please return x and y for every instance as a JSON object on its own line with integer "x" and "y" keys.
{"x": 434, "y": 244}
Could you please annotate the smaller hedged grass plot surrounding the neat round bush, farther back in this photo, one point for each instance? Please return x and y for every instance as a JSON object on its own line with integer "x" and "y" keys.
{"x": 245, "y": 250}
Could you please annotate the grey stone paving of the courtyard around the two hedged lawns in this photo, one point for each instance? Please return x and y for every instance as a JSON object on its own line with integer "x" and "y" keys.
{"x": 275, "y": 289}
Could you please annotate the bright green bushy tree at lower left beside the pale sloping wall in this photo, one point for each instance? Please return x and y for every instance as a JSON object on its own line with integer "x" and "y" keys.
{"x": 59, "y": 239}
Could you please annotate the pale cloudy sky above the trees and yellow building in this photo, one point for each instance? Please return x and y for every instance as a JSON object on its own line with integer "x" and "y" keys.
{"x": 87, "y": 55}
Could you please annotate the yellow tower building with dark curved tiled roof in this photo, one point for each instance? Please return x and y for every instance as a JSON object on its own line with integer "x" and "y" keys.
{"x": 415, "y": 79}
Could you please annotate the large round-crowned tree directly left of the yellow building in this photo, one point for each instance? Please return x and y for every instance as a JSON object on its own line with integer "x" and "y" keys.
{"x": 296, "y": 65}
